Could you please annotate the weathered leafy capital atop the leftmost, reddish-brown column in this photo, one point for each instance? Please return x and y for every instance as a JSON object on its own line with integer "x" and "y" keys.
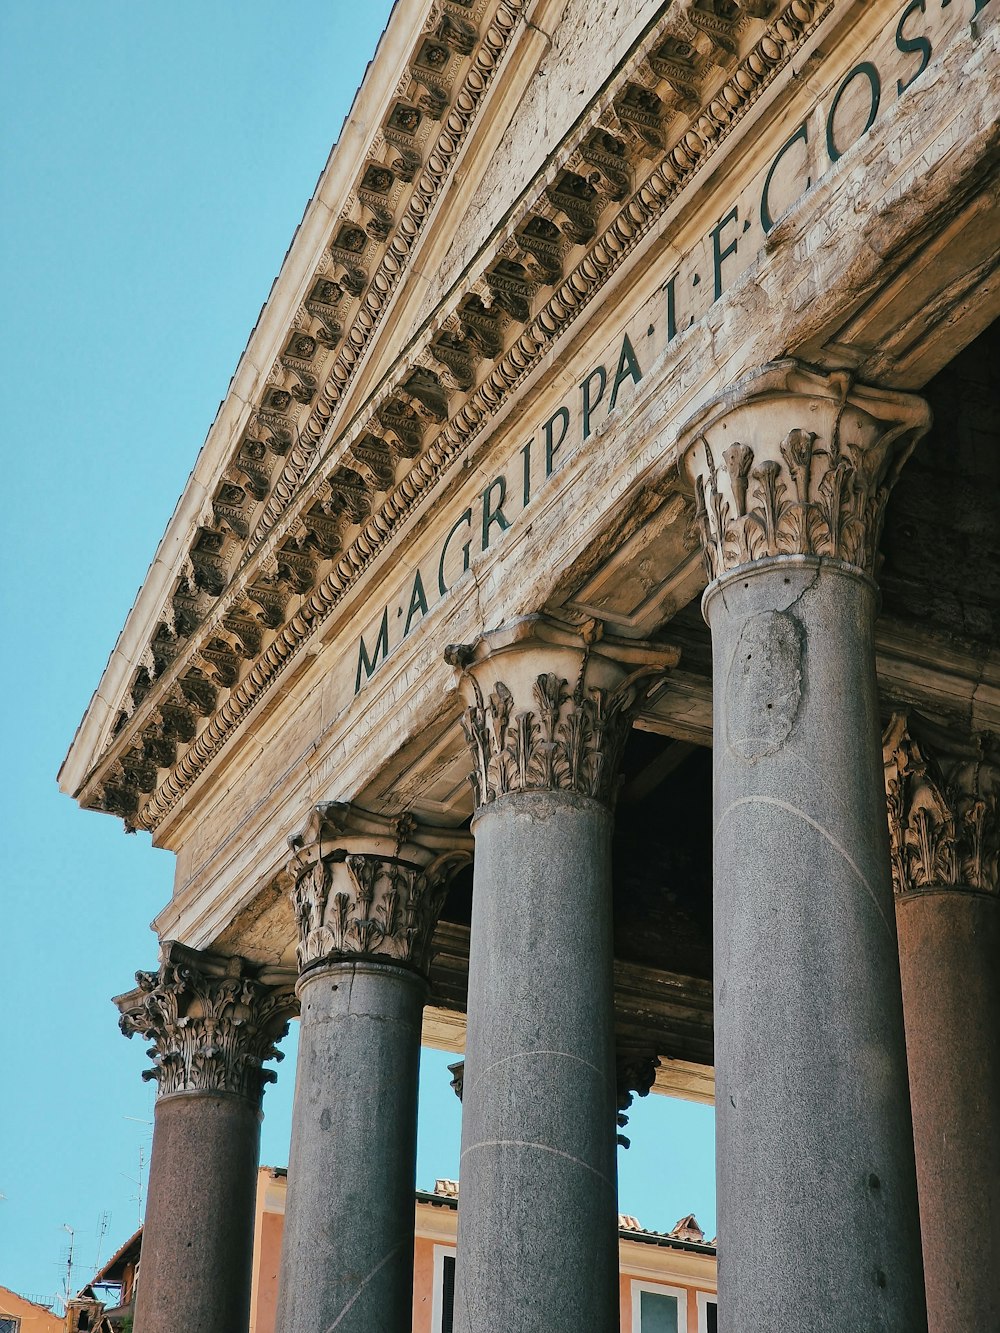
{"x": 211, "y": 1024}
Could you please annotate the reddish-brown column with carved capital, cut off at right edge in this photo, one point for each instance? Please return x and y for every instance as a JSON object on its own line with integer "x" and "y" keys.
{"x": 945, "y": 834}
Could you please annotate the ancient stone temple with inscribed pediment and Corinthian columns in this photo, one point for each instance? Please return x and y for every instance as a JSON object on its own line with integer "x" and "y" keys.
{"x": 597, "y": 542}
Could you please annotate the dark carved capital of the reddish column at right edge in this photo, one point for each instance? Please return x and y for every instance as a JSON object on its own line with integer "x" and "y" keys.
{"x": 943, "y": 804}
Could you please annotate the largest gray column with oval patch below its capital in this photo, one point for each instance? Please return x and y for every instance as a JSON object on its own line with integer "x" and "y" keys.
{"x": 817, "y": 1191}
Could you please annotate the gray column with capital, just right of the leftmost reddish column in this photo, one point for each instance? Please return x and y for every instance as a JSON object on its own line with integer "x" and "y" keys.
{"x": 367, "y": 894}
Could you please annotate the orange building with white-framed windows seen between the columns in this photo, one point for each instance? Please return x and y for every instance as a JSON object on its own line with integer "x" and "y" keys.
{"x": 667, "y": 1282}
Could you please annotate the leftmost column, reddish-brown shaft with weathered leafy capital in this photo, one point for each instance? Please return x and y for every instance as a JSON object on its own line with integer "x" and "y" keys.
{"x": 211, "y": 1026}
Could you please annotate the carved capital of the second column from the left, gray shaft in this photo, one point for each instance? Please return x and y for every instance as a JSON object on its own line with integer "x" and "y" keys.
{"x": 370, "y": 887}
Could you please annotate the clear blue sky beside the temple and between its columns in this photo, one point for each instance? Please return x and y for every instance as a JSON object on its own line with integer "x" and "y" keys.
{"x": 157, "y": 161}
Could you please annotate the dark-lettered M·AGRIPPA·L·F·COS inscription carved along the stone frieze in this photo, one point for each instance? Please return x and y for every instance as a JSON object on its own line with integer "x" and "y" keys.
{"x": 855, "y": 98}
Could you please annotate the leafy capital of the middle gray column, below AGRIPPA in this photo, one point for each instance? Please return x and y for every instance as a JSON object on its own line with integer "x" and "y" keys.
{"x": 551, "y": 707}
